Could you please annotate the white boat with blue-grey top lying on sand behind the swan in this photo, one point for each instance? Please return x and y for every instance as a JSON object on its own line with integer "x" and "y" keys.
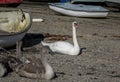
{"x": 79, "y": 10}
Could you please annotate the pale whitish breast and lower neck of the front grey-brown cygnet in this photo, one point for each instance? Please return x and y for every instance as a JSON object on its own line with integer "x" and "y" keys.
{"x": 49, "y": 73}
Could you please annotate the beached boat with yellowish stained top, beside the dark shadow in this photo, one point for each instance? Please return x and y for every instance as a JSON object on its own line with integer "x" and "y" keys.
{"x": 13, "y": 26}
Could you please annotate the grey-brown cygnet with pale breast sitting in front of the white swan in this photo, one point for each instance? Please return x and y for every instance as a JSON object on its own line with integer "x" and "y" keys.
{"x": 37, "y": 68}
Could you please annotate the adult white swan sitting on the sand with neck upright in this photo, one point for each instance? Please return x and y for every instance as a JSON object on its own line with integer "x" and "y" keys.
{"x": 65, "y": 47}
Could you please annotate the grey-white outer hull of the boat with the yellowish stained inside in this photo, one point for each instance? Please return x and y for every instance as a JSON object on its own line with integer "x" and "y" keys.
{"x": 10, "y": 39}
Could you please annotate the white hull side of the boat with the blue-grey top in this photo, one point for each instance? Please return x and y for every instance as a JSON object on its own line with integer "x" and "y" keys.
{"x": 78, "y": 13}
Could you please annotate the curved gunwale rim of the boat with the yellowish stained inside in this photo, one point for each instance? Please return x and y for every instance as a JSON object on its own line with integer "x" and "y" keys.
{"x": 20, "y": 32}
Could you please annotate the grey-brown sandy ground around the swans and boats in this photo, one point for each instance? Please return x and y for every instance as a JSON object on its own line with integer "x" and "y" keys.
{"x": 99, "y": 62}
